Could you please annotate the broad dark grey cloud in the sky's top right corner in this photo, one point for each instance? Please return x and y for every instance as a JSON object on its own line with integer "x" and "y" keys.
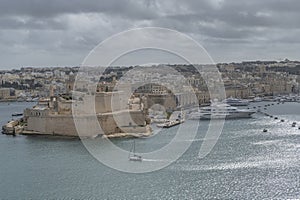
{"x": 235, "y": 19}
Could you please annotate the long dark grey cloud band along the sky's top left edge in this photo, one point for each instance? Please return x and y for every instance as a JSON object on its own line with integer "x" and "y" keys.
{"x": 43, "y": 8}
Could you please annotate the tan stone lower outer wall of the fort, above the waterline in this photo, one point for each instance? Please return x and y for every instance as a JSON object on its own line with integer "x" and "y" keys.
{"x": 57, "y": 124}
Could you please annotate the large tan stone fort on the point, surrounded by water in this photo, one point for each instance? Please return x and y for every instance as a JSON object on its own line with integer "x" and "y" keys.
{"x": 55, "y": 116}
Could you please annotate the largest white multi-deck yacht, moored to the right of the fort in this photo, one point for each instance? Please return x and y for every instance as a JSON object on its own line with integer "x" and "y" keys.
{"x": 224, "y": 111}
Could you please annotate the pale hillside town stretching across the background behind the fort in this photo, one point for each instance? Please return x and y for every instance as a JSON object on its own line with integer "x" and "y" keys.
{"x": 245, "y": 80}
